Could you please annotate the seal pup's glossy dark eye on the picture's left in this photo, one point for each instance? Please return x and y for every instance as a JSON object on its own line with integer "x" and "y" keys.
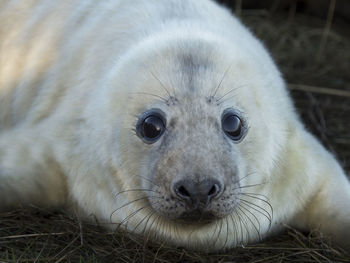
{"x": 151, "y": 126}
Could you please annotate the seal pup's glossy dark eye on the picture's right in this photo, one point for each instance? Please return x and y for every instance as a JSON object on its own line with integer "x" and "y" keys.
{"x": 232, "y": 125}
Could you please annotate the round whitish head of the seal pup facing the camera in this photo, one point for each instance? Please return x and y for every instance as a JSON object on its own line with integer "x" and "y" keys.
{"x": 198, "y": 136}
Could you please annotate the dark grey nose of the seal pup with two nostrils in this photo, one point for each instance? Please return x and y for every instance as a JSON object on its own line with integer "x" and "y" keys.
{"x": 197, "y": 194}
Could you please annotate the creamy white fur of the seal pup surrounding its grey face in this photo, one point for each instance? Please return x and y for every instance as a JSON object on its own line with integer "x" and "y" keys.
{"x": 69, "y": 72}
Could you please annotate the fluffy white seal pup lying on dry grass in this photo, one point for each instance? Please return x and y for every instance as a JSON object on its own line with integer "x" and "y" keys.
{"x": 167, "y": 118}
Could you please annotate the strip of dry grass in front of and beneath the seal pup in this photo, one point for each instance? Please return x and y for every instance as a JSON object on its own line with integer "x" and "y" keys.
{"x": 43, "y": 236}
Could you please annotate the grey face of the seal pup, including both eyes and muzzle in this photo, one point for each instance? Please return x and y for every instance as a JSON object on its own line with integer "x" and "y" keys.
{"x": 193, "y": 179}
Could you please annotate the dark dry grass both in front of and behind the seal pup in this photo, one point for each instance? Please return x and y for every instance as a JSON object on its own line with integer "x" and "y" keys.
{"x": 317, "y": 65}
